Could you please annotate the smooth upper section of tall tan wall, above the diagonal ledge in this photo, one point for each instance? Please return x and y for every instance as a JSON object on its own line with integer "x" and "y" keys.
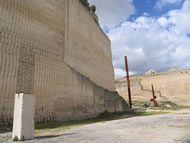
{"x": 88, "y": 49}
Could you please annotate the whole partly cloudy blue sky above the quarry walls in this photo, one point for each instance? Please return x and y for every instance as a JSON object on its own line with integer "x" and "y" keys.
{"x": 154, "y": 34}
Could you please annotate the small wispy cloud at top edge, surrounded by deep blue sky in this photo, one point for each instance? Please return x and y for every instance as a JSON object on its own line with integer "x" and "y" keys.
{"x": 162, "y": 3}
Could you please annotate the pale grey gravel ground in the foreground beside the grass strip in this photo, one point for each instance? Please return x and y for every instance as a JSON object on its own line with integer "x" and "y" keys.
{"x": 165, "y": 128}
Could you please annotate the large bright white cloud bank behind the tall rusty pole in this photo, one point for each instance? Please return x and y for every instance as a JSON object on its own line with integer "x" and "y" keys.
{"x": 152, "y": 43}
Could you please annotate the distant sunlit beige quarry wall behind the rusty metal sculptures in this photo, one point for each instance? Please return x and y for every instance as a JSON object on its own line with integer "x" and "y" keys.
{"x": 170, "y": 86}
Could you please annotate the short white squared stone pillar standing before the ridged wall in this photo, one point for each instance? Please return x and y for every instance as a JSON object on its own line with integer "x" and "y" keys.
{"x": 23, "y": 125}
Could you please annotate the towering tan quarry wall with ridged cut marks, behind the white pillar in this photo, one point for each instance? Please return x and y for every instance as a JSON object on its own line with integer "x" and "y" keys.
{"x": 54, "y": 50}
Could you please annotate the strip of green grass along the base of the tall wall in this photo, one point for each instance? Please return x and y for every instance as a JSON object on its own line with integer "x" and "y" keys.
{"x": 104, "y": 117}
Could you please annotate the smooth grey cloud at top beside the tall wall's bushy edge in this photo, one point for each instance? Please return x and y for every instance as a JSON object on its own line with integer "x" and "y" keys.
{"x": 112, "y": 12}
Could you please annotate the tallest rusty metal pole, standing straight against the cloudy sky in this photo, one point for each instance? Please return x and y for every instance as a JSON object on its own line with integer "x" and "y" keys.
{"x": 128, "y": 82}
